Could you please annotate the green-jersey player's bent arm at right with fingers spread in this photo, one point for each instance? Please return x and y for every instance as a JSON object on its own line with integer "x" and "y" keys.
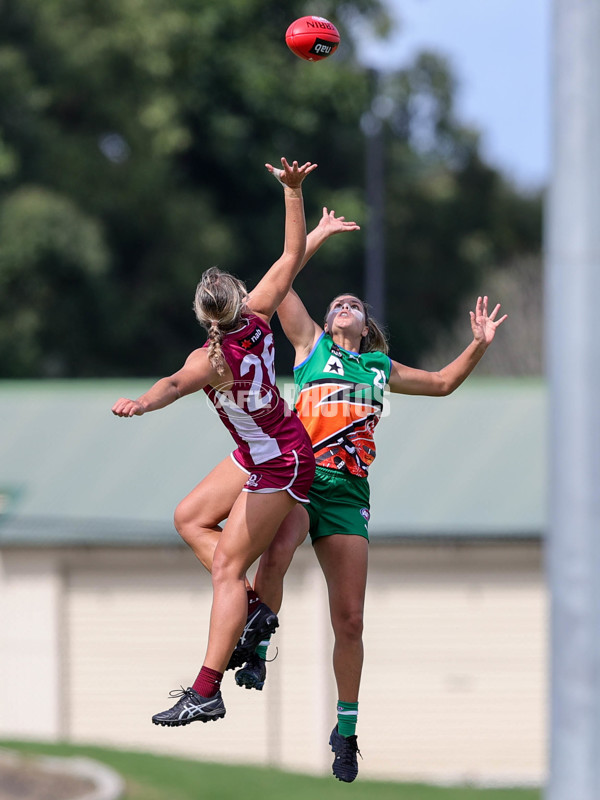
{"x": 406, "y": 380}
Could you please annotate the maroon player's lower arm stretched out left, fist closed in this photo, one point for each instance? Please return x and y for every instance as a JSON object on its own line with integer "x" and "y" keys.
{"x": 196, "y": 373}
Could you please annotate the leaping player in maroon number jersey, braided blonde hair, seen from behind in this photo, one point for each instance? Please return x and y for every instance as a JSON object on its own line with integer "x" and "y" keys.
{"x": 272, "y": 467}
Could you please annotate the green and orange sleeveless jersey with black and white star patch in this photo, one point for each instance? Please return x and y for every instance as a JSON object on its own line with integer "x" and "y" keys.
{"x": 340, "y": 400}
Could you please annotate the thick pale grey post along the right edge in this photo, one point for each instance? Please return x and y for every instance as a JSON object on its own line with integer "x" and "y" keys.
{"x": 573, "y": 357}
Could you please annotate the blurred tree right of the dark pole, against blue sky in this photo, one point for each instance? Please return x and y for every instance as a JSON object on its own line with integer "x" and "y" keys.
{"x": 450, "y": 217}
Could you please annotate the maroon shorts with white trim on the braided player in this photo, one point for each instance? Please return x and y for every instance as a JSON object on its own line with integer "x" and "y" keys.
{"x": 292, "y": 472}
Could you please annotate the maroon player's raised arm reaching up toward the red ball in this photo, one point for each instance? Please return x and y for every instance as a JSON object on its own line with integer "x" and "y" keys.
{"x": 274, "y": 286}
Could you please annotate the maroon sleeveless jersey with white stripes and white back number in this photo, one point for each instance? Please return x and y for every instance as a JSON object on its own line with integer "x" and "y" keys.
{"x": 252, "y": 410}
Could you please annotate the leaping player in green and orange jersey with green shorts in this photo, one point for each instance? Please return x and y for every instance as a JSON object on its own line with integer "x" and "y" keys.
{"x": 341, "y": 371}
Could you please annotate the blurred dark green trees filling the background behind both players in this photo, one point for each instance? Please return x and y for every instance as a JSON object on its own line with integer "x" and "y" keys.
{"x": 143, "y": 126}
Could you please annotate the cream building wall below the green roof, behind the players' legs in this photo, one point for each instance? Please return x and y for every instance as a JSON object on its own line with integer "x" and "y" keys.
{"x": 454, "y": 683}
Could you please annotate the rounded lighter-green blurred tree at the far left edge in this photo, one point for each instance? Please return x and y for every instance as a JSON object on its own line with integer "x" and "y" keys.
{"x": 53, "y": 263}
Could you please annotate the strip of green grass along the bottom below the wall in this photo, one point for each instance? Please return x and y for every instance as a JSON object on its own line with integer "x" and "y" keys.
{"x": 151, "y": 777}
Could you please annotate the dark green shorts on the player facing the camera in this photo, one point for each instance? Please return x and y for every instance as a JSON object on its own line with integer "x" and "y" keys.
{"x": 339, "y": 503}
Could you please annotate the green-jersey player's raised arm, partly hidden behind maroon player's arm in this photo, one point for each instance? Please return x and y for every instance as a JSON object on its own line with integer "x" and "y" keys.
{"x": 301, "y": 330}
